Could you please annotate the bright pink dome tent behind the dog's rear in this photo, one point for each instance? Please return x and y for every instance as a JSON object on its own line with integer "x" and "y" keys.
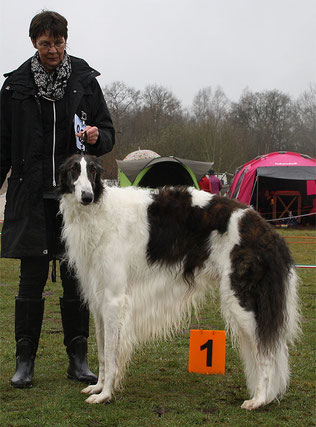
{"x": 283, "y": 170}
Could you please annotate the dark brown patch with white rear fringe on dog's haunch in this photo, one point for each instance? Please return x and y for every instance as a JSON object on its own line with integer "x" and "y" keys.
{"x": 265, "y": 282}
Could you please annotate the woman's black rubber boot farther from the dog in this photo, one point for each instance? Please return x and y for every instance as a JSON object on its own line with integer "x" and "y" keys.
{"x": 28, "y": 323}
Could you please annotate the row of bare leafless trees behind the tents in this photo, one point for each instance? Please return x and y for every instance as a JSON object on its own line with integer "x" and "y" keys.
{"x": 213, "y": 128}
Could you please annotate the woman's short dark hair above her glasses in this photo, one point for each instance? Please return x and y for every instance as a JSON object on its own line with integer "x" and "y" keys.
{"x": 52, "y": 22}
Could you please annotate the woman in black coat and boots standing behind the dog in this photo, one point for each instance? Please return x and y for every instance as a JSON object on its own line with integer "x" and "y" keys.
{"x": 40, "y": 102}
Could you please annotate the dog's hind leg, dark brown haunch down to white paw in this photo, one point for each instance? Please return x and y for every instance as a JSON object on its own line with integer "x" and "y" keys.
{"x": 266, "y": 285}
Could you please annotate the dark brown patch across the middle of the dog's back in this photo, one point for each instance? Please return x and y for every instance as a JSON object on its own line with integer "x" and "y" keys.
{"x": 179, "y": 232}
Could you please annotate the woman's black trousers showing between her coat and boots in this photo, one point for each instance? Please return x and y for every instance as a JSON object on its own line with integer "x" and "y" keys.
{"x": 34, "y": 270}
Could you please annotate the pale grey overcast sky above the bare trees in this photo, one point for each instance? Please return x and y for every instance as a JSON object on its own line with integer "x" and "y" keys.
{"x": 183, "y": 45}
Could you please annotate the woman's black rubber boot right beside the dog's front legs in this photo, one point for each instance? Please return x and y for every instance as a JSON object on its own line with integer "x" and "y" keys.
{"x": 75, "y": 319}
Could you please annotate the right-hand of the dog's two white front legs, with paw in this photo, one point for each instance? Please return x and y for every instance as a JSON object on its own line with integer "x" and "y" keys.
{"x": 108, "y": 367}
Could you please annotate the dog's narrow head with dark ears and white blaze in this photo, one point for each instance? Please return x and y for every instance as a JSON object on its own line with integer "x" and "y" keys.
{"x": 81, "y": 176}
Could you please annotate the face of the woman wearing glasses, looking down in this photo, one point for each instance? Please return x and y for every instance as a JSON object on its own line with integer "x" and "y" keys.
{"x": 51, "y": 50}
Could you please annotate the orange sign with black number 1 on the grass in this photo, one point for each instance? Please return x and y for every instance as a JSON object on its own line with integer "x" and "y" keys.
{"x": 207, "y": 351}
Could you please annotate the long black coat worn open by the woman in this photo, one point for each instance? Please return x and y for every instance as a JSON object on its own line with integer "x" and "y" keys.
{"x": 21, "y": 148}
